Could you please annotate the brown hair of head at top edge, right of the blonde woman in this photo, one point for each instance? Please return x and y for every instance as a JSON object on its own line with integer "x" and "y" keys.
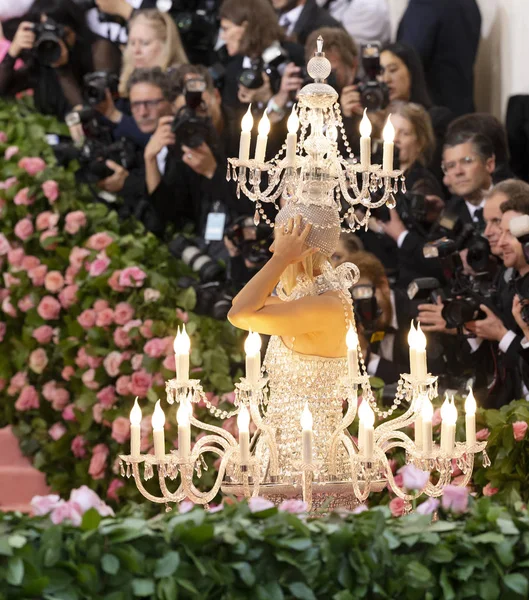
{"x": 262, "y": 24}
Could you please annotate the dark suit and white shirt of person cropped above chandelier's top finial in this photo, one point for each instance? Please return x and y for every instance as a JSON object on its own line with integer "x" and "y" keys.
{"x": 299, "y": 18}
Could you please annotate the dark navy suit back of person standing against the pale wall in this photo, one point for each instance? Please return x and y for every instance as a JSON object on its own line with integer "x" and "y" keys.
{"x": 446, "y": 35}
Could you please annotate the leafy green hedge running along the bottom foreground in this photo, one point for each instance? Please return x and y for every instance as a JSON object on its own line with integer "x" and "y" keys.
{"x": 252, "y": 551}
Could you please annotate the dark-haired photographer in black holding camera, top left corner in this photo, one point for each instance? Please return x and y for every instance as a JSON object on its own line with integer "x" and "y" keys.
{"x": 55, "y": 69}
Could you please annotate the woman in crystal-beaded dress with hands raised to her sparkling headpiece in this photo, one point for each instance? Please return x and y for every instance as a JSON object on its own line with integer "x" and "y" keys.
{"x": 308, "y": 320}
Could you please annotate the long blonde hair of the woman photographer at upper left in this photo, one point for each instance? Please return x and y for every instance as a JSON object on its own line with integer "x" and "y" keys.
{"x": 166, "y": 31}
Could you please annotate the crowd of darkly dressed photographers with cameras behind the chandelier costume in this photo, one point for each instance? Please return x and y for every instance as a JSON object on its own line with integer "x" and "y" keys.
{"x": 154, "y": 92}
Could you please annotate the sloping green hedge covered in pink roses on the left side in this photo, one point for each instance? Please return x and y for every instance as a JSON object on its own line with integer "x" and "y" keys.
{"x": 89, "y": 310}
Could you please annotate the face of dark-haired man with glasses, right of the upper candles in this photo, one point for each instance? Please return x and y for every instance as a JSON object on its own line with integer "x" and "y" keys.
{"x": 467, "y": 172}
